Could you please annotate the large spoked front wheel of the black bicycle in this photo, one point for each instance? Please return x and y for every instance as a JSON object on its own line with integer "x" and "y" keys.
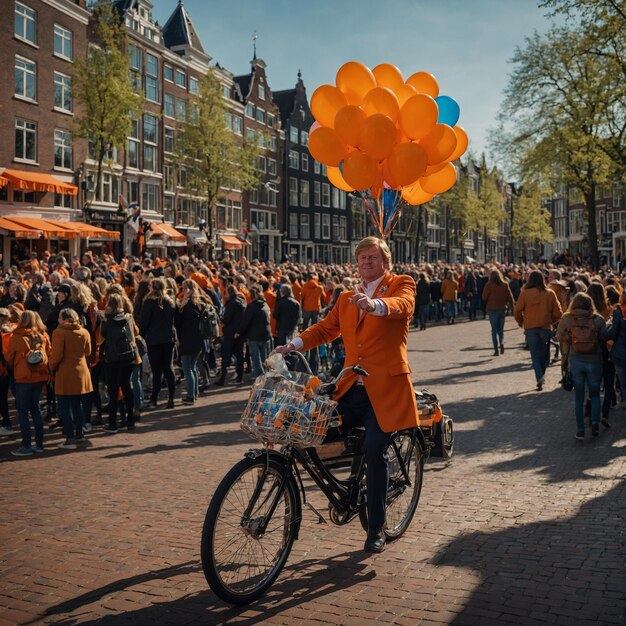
{"x": 240, "y": 561}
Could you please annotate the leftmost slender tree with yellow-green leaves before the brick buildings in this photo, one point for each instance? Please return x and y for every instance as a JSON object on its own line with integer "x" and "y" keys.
{"x": 102, "y": 88}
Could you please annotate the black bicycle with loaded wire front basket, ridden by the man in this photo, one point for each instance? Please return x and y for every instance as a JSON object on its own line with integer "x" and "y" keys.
{"x": 255, "y": 514}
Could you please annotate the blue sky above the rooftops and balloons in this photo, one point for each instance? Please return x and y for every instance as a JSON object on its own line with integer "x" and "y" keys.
{"x": 465, "y": 44}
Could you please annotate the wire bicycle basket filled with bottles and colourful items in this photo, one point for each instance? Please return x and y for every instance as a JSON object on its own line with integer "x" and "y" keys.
{"x": 283, "y": 411}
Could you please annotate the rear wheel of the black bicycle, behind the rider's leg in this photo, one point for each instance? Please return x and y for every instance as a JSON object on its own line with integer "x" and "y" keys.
{"x": 402, "y": 498}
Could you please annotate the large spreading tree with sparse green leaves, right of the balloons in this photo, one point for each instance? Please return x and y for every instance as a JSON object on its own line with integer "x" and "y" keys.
{"x": 553, "y": 119}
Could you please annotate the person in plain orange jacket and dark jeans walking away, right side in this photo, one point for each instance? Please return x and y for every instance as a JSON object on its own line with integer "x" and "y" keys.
{"x": 536, "y": 311}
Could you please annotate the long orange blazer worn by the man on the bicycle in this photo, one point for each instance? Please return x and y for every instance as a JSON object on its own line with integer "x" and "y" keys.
{"x": 378, "y": 344}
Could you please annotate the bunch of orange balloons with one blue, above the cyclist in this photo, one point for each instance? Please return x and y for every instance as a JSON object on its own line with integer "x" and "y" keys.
{"x": 390, "y": 140}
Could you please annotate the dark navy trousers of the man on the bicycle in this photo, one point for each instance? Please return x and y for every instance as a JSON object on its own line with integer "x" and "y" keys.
{"x": 356, "y": 410}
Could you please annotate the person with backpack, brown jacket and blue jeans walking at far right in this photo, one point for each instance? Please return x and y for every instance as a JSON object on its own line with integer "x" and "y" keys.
{"x": 580, "y": 334}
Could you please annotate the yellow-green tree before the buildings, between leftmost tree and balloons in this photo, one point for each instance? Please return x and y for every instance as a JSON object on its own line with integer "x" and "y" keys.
{"x": 209, "y": 151}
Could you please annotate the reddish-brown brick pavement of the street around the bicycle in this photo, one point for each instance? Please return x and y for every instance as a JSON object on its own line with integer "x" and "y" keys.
{"x": 525, "y": 526}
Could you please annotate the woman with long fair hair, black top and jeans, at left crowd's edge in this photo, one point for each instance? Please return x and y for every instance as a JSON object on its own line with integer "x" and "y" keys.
{"x": 187, "y": 322}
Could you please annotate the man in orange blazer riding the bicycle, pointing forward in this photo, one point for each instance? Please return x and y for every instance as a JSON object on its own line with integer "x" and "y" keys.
{"x": 373, "y": 321}
